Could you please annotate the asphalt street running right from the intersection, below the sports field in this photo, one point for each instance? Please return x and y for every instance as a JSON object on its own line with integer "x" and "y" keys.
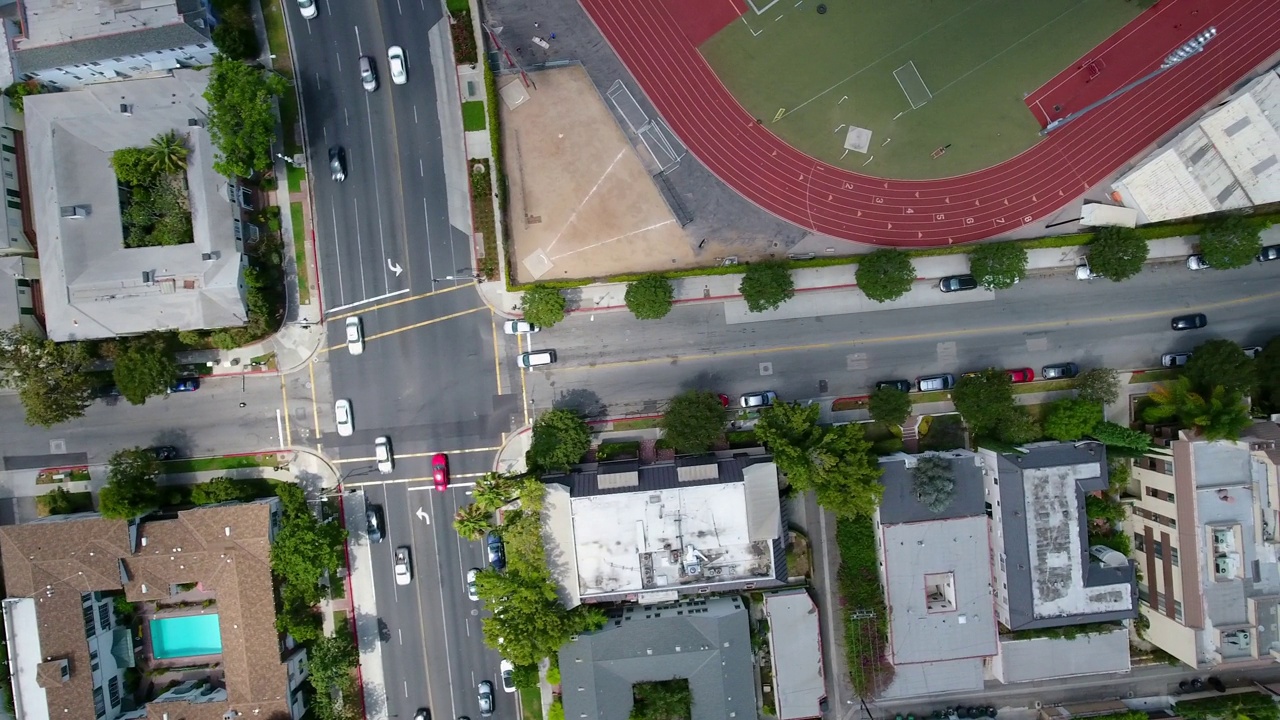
{"x": 616, "y": 366}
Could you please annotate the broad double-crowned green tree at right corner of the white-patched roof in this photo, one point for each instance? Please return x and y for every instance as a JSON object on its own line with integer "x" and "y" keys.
{"x": 836, "y": 463}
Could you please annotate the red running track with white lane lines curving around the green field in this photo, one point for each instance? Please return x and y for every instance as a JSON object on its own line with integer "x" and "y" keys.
{"x": 829, "y": 200}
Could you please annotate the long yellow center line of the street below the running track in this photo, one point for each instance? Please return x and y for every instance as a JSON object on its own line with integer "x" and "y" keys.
{"x": 939, "y": 335}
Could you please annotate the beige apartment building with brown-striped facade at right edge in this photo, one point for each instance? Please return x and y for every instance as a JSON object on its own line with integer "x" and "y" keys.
{"x": 1204, "y": 523}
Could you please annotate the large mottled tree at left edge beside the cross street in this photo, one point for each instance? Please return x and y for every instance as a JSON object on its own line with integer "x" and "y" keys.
{"x": 52, "y": 379}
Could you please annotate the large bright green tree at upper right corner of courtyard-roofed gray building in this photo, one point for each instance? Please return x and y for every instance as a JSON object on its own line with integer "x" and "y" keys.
{"x": 241, "y": 116}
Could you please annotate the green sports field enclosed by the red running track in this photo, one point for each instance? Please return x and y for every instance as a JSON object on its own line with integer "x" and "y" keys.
{"x": 977, "y": 58}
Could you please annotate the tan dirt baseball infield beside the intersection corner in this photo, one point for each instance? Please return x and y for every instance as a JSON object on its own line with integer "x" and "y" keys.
{"x": 582, "y": 202}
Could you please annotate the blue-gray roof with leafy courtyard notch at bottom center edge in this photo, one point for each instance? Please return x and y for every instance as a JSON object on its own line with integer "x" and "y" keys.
{"x": 705, "y": 641}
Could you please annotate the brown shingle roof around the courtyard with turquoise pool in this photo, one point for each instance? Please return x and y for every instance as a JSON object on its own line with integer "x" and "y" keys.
{"x": 225, "y": 548}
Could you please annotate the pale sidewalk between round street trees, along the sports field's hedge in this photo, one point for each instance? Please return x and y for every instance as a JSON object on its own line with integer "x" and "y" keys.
{"x": 825, "y": 291}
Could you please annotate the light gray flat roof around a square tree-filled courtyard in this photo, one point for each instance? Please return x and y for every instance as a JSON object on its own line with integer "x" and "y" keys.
{"x": 94, "y": 288}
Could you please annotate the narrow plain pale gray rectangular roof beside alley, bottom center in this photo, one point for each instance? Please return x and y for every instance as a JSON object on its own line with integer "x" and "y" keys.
{"x": 796, "y": 645}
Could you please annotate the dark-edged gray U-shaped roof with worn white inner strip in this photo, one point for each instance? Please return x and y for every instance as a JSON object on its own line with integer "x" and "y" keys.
{"x": 1053, "y": 578}
